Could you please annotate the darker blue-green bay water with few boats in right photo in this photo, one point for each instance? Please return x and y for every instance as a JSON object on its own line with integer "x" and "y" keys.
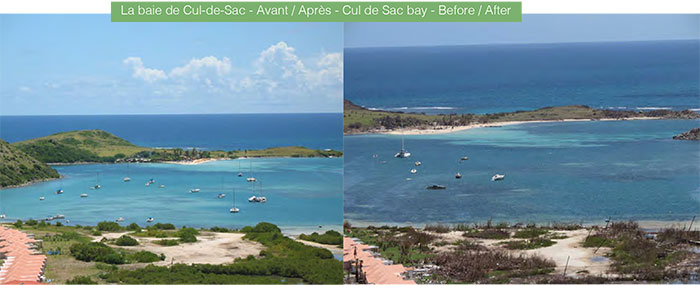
{"x": 555, "y": 172}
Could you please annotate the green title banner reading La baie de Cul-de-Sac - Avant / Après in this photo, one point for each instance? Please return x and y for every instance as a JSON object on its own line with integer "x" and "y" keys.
{"x": 316, "y": 11}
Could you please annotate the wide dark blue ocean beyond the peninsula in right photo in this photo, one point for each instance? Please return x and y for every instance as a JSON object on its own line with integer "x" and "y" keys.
{"x": 500, "y": 78}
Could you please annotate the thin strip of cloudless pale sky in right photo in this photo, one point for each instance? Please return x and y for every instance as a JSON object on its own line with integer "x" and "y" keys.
{"x": 533, "y": 29}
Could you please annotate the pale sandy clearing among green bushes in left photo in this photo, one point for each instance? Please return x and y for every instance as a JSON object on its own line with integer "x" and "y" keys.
{"x": 210, "y": 248}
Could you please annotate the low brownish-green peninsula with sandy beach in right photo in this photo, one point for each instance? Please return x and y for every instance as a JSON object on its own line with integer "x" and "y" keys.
{"x": 357, "y": 119}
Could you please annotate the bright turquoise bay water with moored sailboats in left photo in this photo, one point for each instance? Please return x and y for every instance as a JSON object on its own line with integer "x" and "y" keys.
{"x": 302, "y": 193}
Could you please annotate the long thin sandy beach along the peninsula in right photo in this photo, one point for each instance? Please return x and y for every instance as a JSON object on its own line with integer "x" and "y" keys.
{"x": 450, "y": 129}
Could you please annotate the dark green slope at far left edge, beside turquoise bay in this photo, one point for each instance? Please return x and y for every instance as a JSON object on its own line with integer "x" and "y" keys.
{"x": 16, "y": 167}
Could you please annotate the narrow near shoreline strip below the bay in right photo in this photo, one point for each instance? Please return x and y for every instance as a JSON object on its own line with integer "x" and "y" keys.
{"x": 644, "y": 224}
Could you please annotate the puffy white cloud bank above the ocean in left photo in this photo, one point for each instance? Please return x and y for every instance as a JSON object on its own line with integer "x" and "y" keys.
{"x": 277, "y": 76}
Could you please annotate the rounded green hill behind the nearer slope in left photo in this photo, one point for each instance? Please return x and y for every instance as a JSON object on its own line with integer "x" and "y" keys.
{"x": 79, "y": 146}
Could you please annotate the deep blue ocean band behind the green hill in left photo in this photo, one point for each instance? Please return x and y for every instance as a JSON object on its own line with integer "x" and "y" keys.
{"x": 212, "y": 132}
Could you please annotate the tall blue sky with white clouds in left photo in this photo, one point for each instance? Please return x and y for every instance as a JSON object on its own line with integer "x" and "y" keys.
{"x": 84, "y": 64}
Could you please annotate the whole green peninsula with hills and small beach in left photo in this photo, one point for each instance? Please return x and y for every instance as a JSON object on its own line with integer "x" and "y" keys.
{"x": 27, "y": 161}
